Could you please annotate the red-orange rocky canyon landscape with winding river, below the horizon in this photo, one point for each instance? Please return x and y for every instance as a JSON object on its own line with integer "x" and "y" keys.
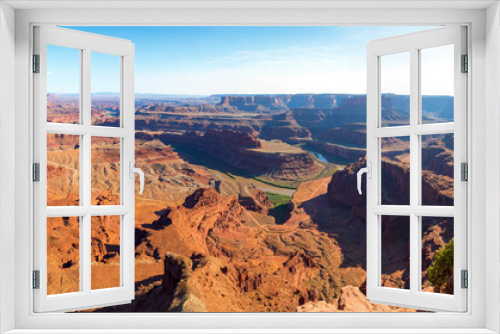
{"x": 239, "y": 213}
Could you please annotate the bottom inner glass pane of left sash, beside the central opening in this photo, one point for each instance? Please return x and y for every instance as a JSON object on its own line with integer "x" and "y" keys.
{"x": 105, "y": 252}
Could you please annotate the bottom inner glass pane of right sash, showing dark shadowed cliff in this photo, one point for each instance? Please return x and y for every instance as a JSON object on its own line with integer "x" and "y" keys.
{"x": 395, "y": 252}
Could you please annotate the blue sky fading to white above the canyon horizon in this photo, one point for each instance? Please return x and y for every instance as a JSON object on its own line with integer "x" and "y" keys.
{"x": 248, "y": 60}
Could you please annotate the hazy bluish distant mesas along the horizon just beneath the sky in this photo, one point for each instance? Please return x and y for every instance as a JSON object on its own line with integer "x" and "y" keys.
{"x": 395, "y": 108}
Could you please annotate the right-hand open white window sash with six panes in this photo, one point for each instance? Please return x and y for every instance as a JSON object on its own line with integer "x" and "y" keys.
{"x": 412, "y": 44}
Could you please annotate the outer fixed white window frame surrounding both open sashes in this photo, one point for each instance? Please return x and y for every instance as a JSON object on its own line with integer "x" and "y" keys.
{"x": 17, "y": 303}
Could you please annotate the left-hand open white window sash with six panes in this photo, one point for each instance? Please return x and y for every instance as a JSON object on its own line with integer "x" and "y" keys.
{"x": 86, "y": 44}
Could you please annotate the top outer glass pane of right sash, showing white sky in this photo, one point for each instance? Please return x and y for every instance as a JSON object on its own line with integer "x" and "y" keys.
{"x": 437, "y": 84}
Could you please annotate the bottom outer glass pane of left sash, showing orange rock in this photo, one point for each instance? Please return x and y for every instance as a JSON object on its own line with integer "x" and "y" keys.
{"x": 63, "y": 255}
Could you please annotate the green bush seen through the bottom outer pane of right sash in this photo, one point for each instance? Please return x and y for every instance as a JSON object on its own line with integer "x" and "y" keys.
{"x": 440, "y": 273}
